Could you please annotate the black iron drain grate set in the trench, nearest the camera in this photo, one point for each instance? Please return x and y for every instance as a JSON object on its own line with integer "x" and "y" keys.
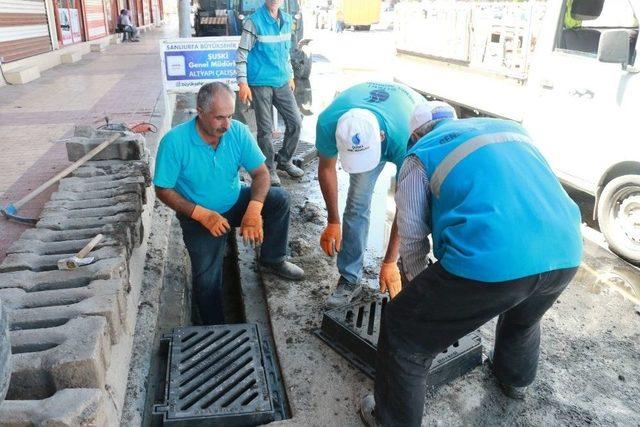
{"x": 220, "y": 375}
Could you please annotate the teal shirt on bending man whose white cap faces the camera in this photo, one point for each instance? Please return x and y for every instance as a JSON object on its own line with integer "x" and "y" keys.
{"x": 392, "y": 103}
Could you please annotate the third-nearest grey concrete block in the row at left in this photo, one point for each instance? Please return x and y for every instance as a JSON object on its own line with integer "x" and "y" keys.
{"x": 105, "y": 298}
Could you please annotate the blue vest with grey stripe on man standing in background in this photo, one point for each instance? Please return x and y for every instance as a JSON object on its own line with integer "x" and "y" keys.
{"x": 268, "y": 61}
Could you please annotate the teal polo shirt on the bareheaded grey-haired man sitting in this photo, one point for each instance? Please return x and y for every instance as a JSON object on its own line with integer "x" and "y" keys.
{"x": 203, "y": 175}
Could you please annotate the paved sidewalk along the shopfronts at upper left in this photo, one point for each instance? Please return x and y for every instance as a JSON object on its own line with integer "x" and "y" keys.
{"x": 123, "y": 83}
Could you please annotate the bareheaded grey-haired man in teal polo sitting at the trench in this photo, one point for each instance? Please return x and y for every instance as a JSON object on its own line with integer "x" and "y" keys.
{"x": 196, "y": 175}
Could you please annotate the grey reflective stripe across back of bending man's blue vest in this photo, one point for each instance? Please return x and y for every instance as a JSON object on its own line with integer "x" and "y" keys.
{"x": 463, "y": 150}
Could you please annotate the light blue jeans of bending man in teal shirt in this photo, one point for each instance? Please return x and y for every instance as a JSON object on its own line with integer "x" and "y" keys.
{"x": 355, "y": 223}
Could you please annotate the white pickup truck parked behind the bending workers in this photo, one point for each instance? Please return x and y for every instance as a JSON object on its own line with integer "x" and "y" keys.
{"x": 568, "y": 70}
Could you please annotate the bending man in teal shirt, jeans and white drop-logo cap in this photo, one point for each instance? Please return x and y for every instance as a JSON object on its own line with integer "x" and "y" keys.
{"x": 366, "y": 126}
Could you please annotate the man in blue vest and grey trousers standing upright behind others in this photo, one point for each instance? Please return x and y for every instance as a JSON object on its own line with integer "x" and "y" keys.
{"x": 265, "y": 77}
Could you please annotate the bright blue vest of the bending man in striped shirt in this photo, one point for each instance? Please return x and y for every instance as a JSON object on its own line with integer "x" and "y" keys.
{"x": 498, "y": 212}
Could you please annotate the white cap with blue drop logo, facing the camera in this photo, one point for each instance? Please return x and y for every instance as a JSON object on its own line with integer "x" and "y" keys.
{"x": 358, "y": 140}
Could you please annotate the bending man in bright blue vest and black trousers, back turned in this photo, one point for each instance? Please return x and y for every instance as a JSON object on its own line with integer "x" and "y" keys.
{"x": 507, "y": 241}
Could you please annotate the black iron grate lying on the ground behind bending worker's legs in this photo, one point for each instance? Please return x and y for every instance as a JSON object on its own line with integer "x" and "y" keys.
{"x": 353, "y": 332}
